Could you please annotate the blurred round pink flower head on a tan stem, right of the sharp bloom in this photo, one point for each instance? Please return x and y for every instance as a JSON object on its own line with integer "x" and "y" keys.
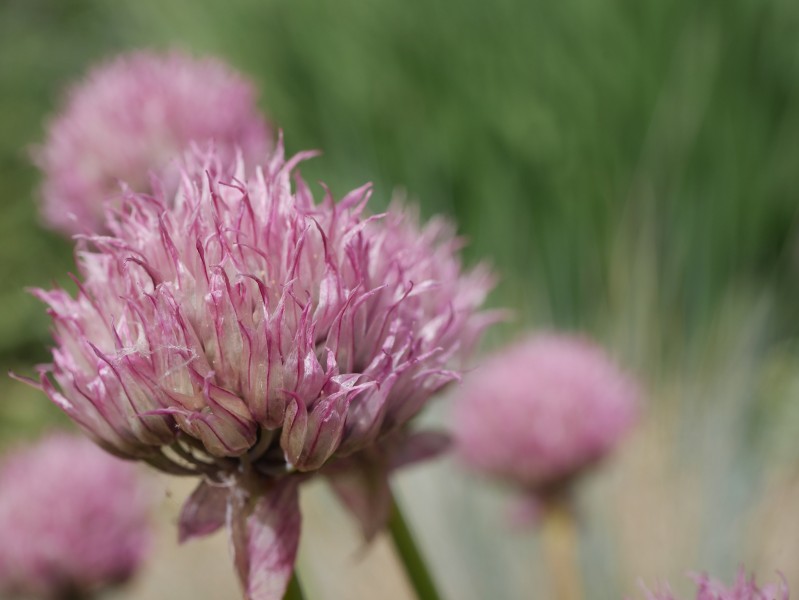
{"x": 539, "y": 412}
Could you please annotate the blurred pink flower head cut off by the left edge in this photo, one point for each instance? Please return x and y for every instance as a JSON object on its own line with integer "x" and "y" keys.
{"x": 72, "y": 519}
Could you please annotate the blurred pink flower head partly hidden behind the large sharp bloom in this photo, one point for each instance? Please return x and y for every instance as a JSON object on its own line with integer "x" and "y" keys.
{"x": 129, "y": 118}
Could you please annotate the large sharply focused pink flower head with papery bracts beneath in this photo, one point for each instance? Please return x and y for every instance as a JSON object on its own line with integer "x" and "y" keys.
{"x": 246, "y": 333}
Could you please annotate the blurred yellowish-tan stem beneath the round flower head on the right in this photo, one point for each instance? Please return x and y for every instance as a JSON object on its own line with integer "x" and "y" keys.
{"x": 561, "y": 547}
